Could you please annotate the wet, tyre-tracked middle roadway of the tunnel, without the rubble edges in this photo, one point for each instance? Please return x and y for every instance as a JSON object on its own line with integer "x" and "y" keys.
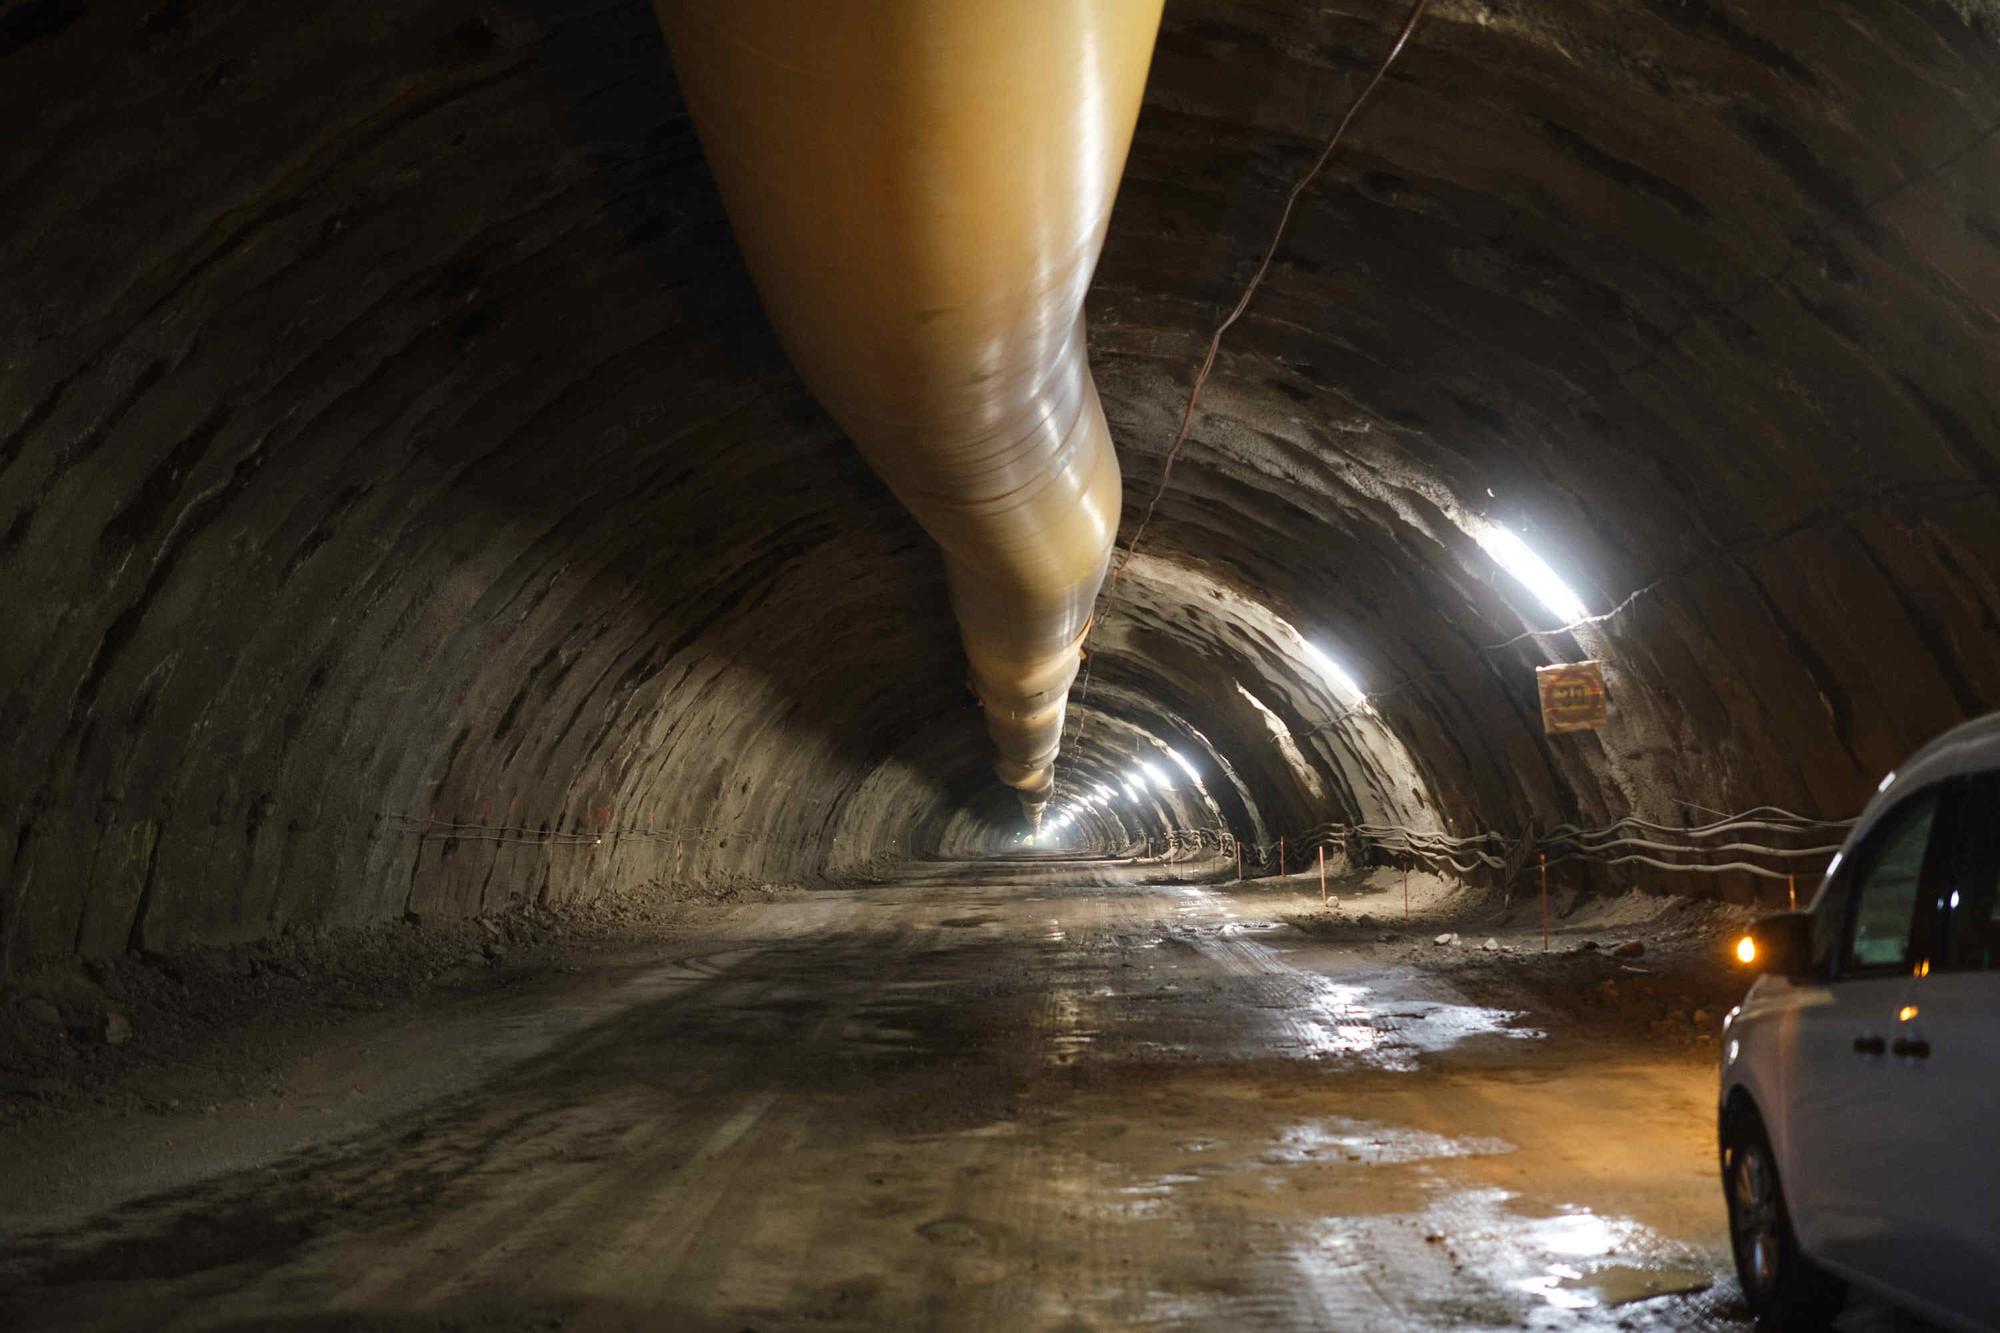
{"x": 971, "y": 1102}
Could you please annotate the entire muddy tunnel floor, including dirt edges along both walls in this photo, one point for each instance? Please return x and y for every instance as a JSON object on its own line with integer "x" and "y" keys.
{"x": 977, "y": 1098}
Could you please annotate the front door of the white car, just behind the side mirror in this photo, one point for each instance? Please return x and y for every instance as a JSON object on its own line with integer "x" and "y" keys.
{"x": 1847, "y": 1152}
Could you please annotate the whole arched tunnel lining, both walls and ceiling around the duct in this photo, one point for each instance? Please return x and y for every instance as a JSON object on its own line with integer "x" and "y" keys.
{"x": 405, "y": 505}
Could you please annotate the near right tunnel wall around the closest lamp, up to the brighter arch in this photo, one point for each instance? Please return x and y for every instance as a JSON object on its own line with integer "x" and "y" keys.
{"x": 1701, "y": 299}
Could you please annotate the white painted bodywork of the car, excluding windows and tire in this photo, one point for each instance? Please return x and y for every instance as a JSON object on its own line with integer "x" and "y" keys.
{"x": 1891, "y": 1162}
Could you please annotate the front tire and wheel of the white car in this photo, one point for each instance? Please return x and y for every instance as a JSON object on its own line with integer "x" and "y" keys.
{"x": 1781, "y": 1286}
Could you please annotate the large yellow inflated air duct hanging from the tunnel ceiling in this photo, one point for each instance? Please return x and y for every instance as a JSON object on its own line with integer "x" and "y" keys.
{"x": 921, "y": 191}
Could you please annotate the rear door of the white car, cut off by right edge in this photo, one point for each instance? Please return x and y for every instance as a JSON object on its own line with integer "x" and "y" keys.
{"x": 1949, "y": 1074}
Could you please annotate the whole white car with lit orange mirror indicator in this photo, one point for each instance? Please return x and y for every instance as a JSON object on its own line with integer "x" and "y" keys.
{"x": 1861, "y": 1076}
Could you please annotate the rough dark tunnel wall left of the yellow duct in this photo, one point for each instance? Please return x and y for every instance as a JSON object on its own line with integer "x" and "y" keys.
{"x": 403, "y": 503}
